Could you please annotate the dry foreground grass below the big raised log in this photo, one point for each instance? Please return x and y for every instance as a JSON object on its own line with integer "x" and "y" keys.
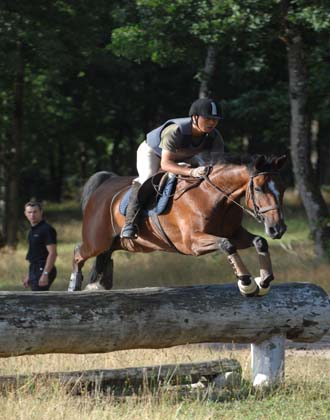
{"x": 303, "y": 396}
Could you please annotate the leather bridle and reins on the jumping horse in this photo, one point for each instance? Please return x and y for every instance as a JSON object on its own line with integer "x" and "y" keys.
{"x": 257, "y": 212}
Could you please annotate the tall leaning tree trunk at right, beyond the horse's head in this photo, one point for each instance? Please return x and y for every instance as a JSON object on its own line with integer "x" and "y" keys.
{"x": 305, "y": 178}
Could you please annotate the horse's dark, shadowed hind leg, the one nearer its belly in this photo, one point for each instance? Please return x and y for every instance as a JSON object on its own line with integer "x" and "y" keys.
{"x": 101, "y": 274}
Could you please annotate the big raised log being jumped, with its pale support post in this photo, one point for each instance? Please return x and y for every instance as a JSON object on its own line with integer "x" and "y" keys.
{"x": 84, "y": 322}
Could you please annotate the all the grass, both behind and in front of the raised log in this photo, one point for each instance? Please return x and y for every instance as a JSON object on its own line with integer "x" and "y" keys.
{"x": 305, "y": 394}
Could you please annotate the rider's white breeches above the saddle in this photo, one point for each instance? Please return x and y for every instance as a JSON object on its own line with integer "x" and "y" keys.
{"x": 147, "y": 162}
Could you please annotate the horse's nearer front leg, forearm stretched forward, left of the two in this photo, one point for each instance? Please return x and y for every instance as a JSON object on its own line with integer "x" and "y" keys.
{"x": 203, "y": 243}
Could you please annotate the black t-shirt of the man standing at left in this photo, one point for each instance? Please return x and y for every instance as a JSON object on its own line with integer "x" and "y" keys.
{"x": 39, "y": 237}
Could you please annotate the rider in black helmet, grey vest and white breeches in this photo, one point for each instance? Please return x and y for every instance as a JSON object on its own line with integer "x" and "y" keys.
{"x": 177, "y": 140}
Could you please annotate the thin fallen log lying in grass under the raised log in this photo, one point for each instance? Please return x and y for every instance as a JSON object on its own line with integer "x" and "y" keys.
{"x": 135, "y": 377}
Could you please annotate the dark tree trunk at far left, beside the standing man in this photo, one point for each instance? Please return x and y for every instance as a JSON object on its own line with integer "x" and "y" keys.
{"x": 13, "y": 167}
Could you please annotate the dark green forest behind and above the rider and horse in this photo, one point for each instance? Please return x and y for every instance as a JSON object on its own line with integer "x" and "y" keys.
{"x": 81, "y": 83}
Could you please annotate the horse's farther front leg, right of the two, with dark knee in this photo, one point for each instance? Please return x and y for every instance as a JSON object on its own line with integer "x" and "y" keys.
{"x": 244, "y": 239}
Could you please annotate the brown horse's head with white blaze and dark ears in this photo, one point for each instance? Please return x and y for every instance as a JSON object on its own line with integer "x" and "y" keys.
{"x": 264, "y": 194}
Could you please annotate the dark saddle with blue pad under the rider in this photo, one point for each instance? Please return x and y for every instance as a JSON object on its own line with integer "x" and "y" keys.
{"x": 154, "y": 194}
